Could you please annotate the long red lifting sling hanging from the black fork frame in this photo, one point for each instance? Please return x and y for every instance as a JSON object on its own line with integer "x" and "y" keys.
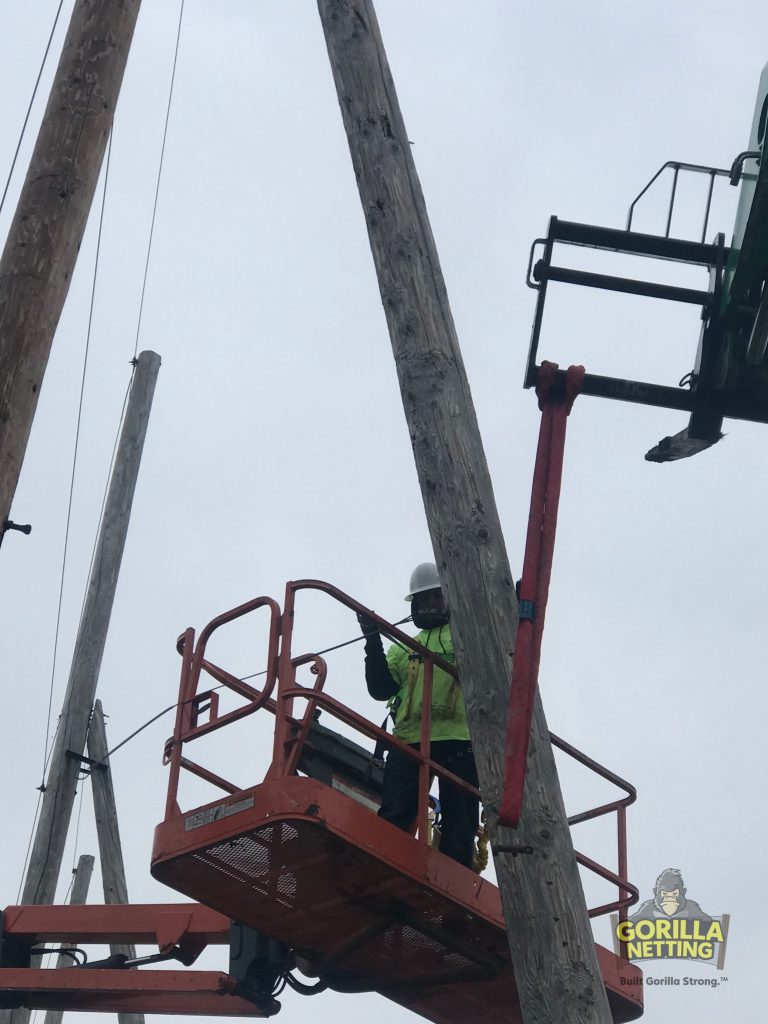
{"x": 540, "y": 544}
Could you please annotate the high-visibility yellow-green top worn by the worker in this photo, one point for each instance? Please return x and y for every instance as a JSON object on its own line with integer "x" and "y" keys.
{"x": 407, "y": 669}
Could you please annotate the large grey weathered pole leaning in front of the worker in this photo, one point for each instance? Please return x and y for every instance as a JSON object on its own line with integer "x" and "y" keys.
{"x": 551, "y": 944}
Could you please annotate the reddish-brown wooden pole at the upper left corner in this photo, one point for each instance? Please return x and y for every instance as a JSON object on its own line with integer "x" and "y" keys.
{"x": 42, "y": 246}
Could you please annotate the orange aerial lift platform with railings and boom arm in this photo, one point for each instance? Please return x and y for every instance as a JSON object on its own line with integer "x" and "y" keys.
{"x": 300, "y": 872}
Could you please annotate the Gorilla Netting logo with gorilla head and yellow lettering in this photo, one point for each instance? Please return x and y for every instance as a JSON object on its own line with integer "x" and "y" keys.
{"x": 672, "y": 927}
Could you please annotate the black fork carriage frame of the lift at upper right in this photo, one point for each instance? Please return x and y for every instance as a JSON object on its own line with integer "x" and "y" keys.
{"x": 724, "y": 380}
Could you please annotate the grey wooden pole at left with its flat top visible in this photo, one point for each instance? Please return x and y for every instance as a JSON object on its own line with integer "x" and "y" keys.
{"x": 59, "y": 798}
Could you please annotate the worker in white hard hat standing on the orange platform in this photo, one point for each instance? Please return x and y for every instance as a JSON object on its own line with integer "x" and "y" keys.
{"x": 398, "y": 677}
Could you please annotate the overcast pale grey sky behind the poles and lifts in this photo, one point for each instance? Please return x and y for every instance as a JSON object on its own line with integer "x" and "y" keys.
{"x": 278, "y": 448}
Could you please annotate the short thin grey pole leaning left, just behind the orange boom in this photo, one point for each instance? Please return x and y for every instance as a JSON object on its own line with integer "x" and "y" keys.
{"x": 108, "y": 832}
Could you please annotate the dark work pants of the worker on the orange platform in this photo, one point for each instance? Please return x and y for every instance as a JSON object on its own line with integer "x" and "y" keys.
{"x": 460, "y": 812}
